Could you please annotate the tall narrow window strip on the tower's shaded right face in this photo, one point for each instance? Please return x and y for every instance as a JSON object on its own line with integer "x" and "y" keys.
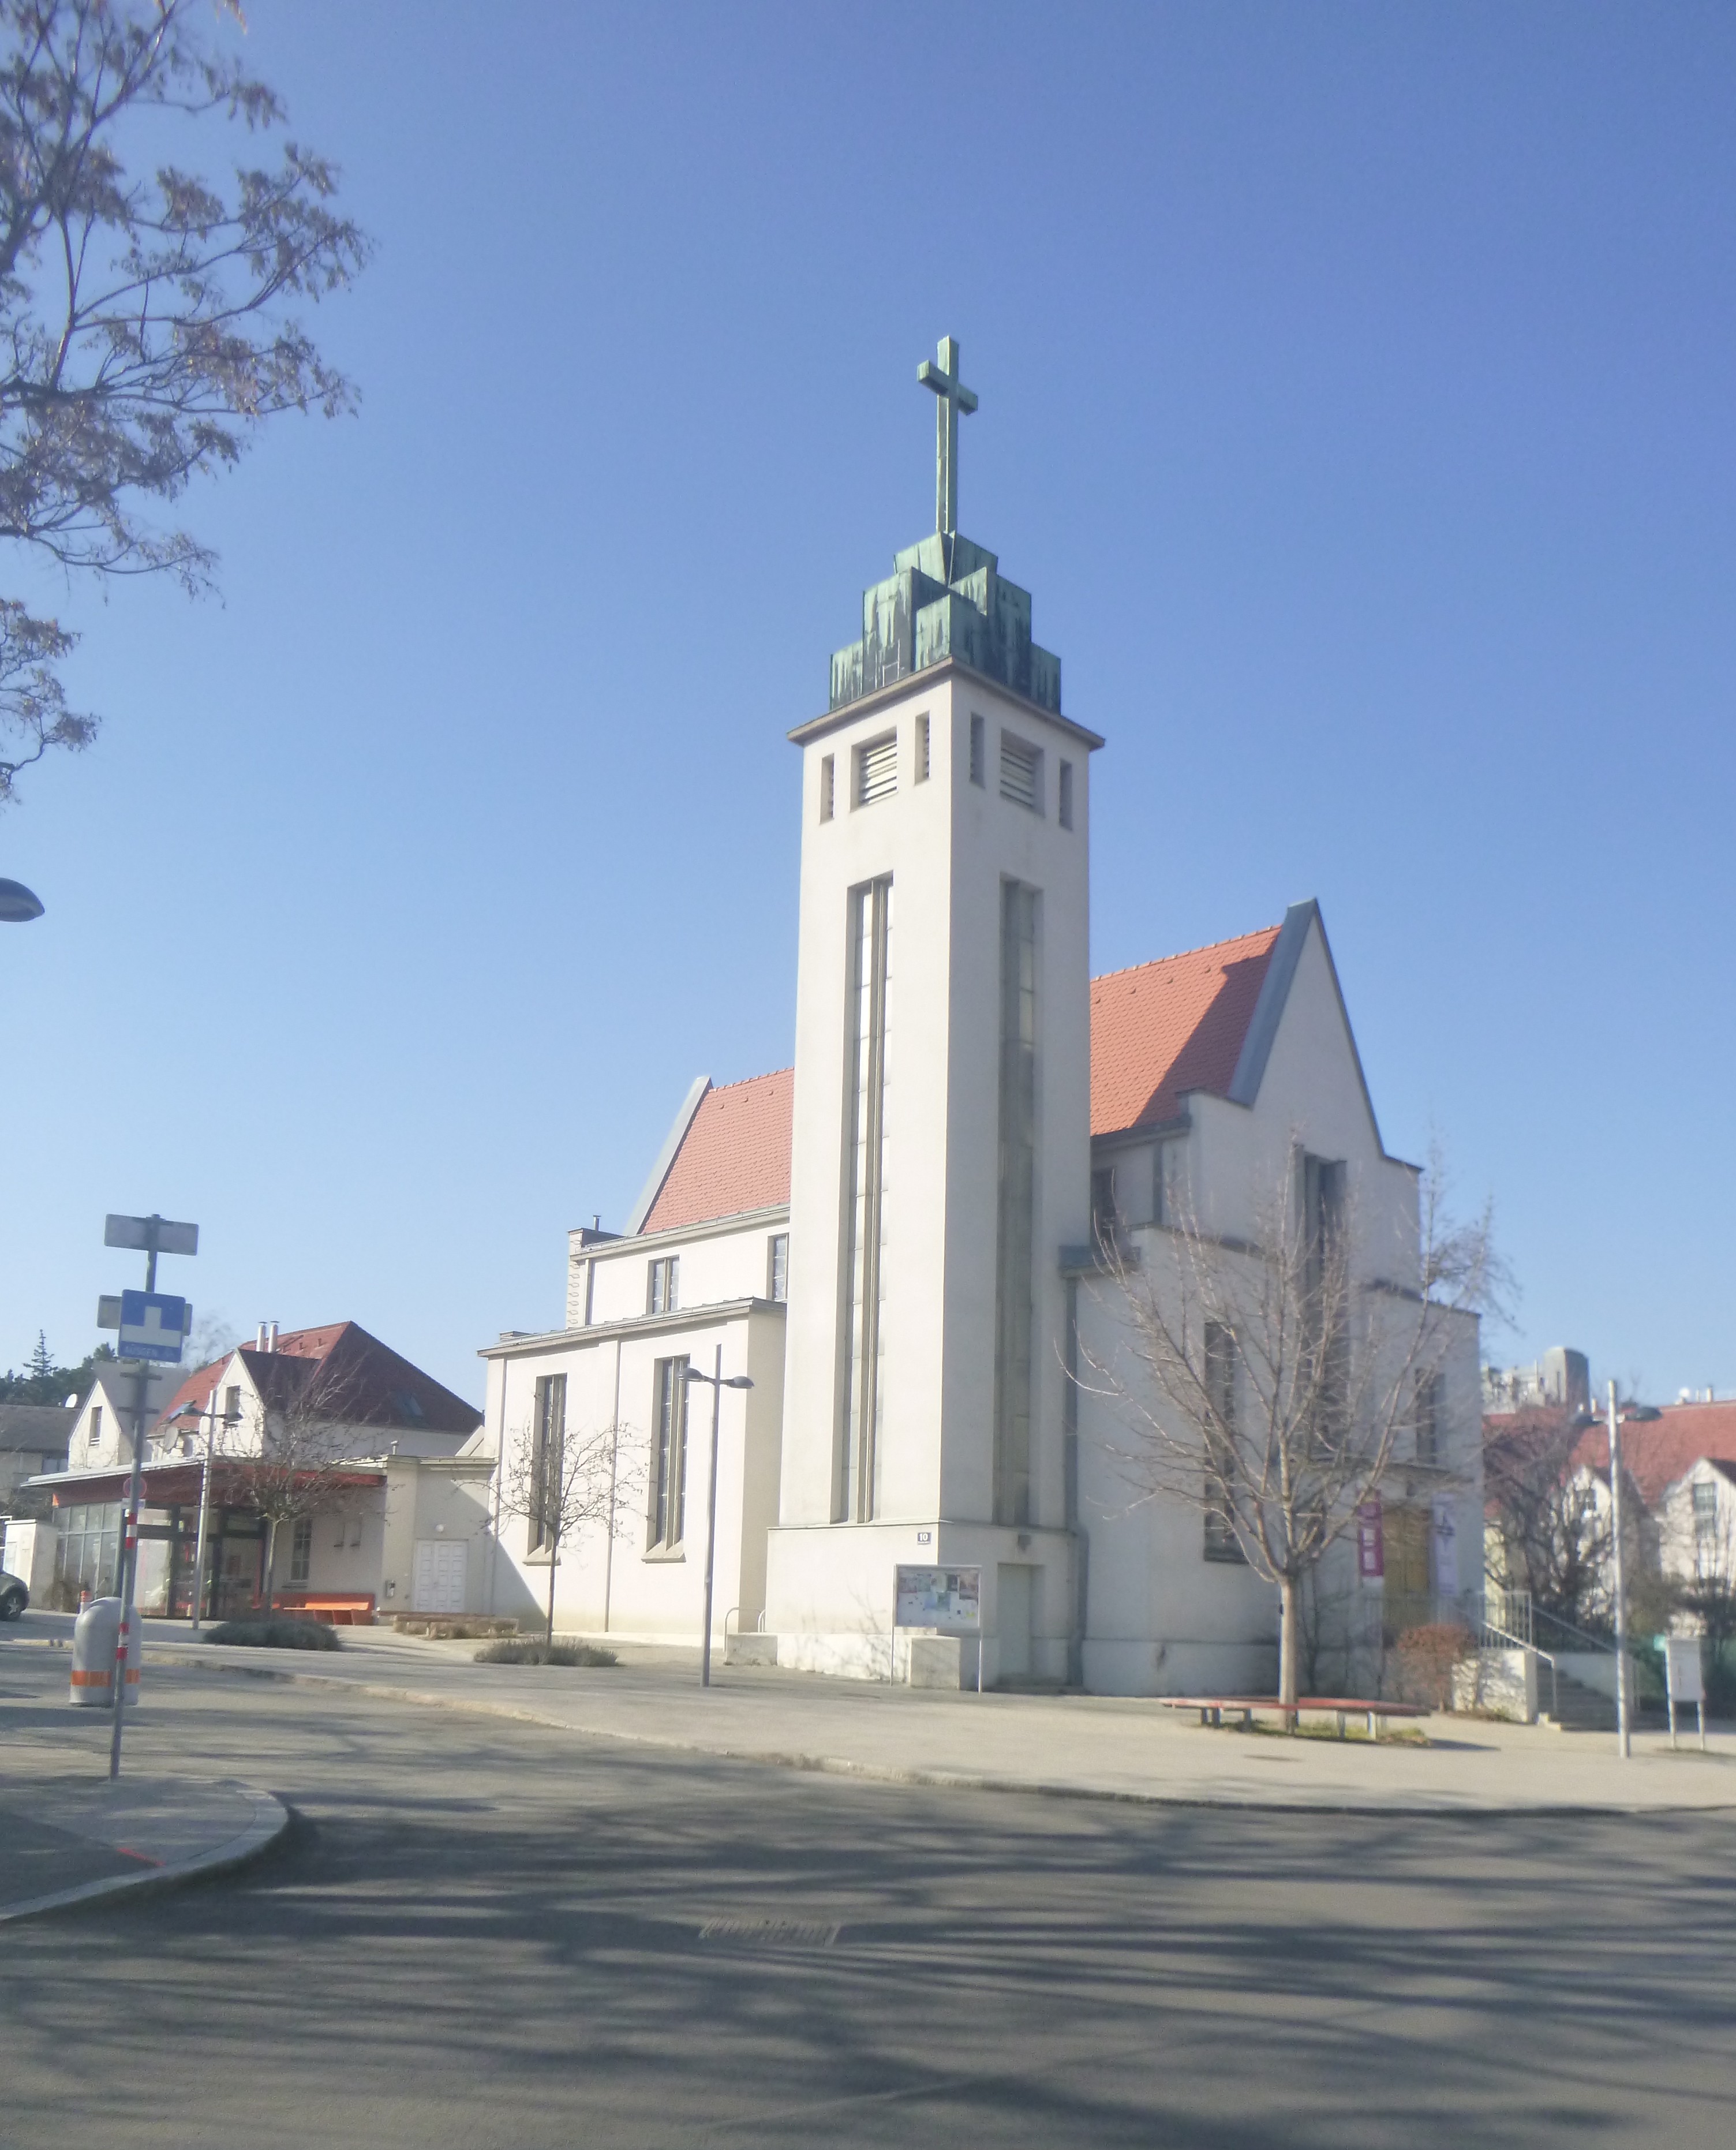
{"x": 1017, "y": 1203}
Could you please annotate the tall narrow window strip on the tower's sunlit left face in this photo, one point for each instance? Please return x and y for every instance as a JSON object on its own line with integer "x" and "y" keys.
{"x": 863, "y": 1390}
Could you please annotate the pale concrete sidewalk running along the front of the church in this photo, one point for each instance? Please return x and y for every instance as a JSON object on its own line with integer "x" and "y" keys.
{"x": 1075, "y": 1745}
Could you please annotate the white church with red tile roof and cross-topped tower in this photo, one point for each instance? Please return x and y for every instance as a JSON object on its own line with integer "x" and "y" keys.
{"x": 918, "y": 1242}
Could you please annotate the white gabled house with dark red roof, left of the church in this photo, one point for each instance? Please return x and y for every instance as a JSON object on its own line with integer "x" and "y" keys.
{"x": 405, "y": 1502}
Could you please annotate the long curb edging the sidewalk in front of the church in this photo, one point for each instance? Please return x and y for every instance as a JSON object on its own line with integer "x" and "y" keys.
{"x": 929, "y": 1779}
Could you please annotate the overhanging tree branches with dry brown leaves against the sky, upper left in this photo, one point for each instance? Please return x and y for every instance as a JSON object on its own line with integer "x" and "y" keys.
{"x": 143, "y": 319}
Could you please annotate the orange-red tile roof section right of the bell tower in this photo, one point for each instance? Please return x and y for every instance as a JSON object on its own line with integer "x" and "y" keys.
{"x": 1172, "y": 1027}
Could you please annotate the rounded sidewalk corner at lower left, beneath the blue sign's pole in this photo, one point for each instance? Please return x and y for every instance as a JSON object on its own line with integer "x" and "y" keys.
{"x": 70, "y": 1839}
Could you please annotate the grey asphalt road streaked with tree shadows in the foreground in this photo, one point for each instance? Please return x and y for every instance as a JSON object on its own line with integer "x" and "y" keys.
{"x": 484, "y": 1936}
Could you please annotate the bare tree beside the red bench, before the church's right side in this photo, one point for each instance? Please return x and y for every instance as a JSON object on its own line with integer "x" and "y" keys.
{"x": 1277, "y": 1379}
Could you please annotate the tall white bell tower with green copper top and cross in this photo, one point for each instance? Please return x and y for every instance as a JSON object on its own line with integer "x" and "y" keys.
{"x": 942, "y": 1110}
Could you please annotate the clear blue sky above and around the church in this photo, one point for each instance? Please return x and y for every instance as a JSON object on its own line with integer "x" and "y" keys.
{"x": 1357, "y": 401}
